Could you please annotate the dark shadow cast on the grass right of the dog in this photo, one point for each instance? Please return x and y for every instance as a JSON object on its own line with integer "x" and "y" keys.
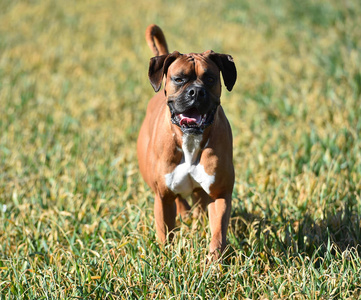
{"x": 306, "y": 237}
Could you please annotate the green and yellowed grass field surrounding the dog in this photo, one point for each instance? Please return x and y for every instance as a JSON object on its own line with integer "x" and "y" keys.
{"x": 76, "y": 219}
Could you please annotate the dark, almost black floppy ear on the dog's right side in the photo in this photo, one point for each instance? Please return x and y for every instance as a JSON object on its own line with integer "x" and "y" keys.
{"x": 226, "y": 65}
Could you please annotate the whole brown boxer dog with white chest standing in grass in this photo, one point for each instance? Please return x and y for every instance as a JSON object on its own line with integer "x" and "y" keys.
{"x": 185, "y": 143}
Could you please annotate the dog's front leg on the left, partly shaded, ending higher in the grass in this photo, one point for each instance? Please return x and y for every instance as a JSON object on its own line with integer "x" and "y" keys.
{"x": 165, "y": 211}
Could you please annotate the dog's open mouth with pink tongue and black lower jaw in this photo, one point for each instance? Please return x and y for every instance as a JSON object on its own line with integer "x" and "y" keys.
{"x": 191, "y": 121}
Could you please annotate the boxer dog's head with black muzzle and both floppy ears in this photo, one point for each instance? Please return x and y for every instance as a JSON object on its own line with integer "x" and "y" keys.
{"x": 192, "y": 86}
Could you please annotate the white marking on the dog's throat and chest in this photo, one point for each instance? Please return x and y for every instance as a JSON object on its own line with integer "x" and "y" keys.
{"x": 189, "y": 174}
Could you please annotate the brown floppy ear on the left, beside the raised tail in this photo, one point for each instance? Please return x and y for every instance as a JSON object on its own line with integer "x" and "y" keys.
{"x": 158, "y": 66}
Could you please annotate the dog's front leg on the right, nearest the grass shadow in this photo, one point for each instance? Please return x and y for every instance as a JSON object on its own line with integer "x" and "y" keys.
{"x": 219, "y": 212}
